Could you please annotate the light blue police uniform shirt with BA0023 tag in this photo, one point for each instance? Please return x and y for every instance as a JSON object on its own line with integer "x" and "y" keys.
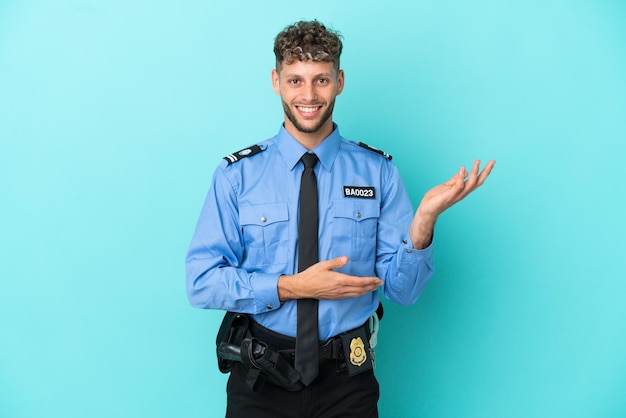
{"x": 247, "y": 233}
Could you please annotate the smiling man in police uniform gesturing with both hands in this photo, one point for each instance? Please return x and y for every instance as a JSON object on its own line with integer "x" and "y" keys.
{"x": 247, "y": 252}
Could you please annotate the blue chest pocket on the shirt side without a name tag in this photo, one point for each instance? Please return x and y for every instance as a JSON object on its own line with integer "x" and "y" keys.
{"x": 265, "y": 232}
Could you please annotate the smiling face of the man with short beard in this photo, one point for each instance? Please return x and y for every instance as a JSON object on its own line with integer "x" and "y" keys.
{"x": 308, "y": 91}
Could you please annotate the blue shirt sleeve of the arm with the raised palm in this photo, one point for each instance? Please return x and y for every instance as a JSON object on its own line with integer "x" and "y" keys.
{"x": 405, "y": 270}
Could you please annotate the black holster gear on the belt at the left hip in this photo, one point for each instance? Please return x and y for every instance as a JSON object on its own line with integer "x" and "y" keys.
{"x": 235, "y": 344}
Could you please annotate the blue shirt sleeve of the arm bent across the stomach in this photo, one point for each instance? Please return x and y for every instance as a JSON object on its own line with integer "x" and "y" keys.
{"x": 215, "y": 279}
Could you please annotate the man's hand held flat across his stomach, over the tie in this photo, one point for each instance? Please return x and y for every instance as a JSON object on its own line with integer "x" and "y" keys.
{"x": 320, "y": 281}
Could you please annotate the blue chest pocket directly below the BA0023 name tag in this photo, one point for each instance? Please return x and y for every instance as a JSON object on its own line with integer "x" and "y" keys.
{"x": 355, "y": 228}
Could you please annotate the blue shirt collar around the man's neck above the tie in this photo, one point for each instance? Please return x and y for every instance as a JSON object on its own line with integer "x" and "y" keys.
{"x": 292, "y": 150}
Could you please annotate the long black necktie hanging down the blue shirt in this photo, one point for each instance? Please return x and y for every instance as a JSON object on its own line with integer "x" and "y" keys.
{"x": 307, "y": 335}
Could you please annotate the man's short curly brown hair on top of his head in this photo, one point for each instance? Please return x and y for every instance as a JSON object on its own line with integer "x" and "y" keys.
{"x": 307, "y": 40}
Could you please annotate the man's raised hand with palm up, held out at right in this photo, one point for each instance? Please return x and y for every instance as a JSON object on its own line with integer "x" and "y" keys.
{"x": 441, "y": 197}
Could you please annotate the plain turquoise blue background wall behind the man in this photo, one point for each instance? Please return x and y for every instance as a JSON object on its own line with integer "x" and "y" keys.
{"x": 113, "y": 116}
